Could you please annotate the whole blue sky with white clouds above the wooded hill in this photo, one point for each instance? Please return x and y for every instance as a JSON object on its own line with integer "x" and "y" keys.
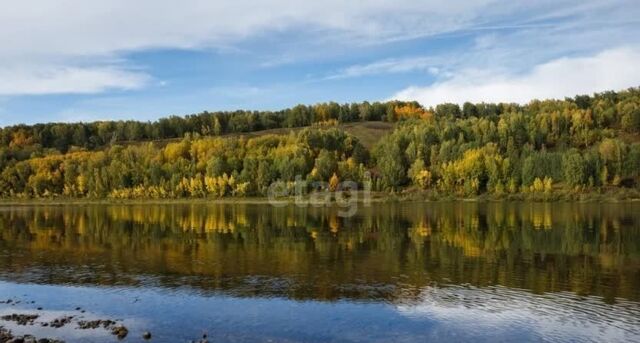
{"x": 85, "y": 60}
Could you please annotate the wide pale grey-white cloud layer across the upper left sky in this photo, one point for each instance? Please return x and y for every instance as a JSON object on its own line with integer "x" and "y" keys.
{"x": 42, "y": 41}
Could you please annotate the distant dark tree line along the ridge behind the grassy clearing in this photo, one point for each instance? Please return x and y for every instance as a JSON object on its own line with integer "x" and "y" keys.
{"x": 94, "y": 135}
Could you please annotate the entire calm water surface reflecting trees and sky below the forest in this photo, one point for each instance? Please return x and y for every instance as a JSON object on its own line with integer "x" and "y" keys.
{"x": 400, "y": 272}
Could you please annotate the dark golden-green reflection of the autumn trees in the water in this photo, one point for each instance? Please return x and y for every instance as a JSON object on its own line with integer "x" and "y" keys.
{"x": 312, "y": 252}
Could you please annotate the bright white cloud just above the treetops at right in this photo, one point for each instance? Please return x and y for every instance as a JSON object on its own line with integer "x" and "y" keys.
{"x": 609, "y": 70}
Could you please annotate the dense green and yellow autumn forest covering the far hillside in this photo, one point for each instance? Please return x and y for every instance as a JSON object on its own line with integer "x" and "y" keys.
{"x": 585, "y": 144}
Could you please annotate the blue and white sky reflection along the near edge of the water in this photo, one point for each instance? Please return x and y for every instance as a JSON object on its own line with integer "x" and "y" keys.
{"x": 445, "y": 314}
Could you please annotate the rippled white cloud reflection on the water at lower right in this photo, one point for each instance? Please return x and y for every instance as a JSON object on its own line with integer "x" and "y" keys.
{"x": 499, "y": 312}
